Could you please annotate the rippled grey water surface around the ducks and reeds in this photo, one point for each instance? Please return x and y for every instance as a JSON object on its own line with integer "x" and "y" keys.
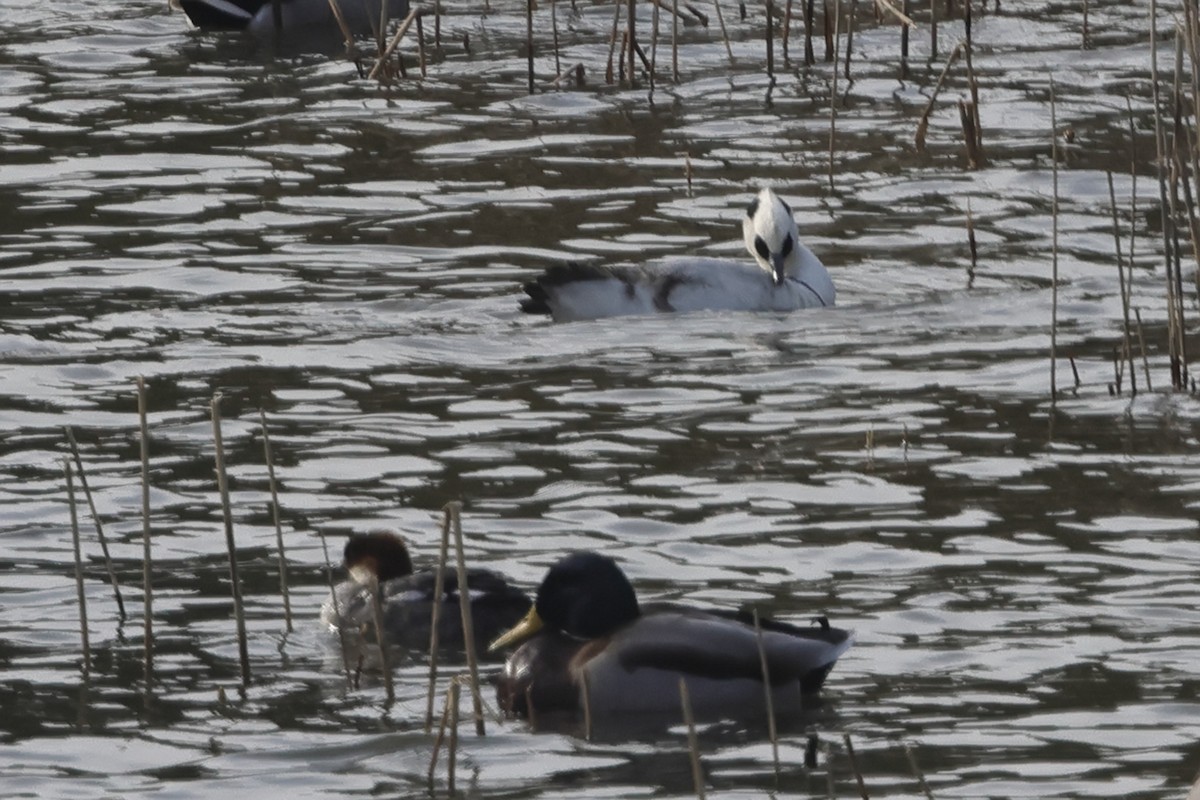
{"x": 1022, "y": 578}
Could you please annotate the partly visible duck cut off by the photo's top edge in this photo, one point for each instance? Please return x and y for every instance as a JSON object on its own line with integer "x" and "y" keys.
{"x": 299, "y": 20}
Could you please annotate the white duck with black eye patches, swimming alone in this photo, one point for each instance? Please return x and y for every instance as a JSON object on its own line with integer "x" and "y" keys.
{"x": 785, "y": 276}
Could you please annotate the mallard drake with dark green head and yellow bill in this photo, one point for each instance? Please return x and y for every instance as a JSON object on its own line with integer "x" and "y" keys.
{"x": 586, "y": 628}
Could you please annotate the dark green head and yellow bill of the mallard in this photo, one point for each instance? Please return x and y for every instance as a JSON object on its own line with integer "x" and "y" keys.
{"x": 585, "y": 596}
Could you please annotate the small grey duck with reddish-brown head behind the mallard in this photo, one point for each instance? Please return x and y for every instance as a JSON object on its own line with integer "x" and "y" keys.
{"x": 409, "y": 598}
